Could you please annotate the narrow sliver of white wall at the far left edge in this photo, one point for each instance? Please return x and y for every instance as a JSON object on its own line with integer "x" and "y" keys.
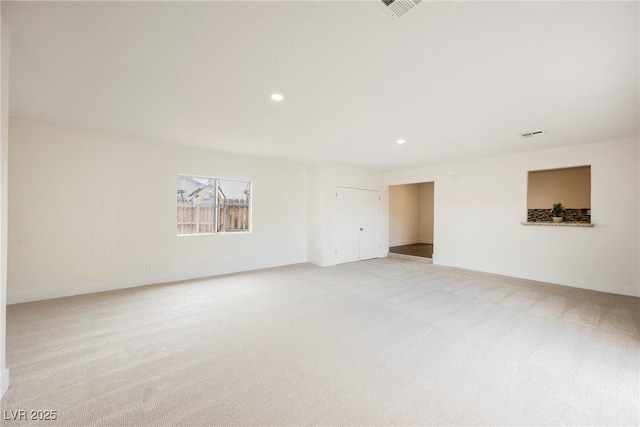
{"x": 4, "y": 144}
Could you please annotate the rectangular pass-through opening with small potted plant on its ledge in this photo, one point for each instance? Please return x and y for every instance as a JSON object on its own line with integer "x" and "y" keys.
{"x": 569, "y": 186}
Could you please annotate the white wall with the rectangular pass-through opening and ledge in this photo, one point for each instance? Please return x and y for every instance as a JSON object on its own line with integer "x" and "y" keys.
{"x": 479, "y": 207}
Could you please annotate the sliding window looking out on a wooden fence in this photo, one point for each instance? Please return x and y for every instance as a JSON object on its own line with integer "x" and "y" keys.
{"x": 211, "y": 205}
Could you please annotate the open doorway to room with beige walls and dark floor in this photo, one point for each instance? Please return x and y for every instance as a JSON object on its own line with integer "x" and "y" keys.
{"x": 411, "y": 208}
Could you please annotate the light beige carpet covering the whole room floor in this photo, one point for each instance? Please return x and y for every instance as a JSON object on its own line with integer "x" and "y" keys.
{"x": 381, "y": 342}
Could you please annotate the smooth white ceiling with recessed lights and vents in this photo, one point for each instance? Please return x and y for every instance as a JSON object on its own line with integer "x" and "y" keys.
{"x": 457, "y": 80}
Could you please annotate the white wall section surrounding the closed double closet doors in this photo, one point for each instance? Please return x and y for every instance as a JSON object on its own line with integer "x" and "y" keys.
{"x": 323, "y": 180}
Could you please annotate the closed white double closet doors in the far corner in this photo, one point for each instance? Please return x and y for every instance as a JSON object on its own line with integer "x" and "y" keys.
{"x": 357, "y": 232}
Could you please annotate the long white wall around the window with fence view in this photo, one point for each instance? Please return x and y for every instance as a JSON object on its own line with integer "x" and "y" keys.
{"x": 89, "y": 211}
